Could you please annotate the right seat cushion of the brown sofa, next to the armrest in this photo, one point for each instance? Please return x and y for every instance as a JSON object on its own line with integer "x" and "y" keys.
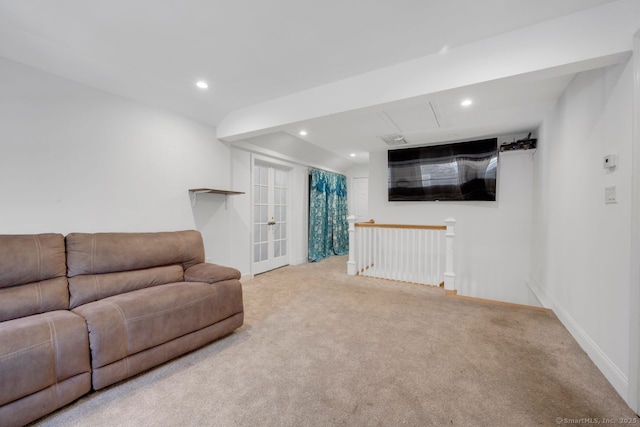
{"x": 125, "y": 324}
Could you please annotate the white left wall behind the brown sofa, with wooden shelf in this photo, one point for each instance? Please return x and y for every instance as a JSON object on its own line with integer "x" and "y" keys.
{"x": 74, "y": 158}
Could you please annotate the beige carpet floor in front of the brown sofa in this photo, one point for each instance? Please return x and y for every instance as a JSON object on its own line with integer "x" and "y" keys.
{"x": 320, "y": 348}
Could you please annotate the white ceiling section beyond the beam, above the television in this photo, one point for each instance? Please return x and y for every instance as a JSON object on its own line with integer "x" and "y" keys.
{"x": 505, "y": 107}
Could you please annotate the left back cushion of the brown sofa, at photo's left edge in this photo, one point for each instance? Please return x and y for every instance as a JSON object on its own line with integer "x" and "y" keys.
{"x": 32, "y": 275}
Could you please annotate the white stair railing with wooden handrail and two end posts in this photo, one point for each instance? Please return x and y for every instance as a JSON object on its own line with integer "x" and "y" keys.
{"x": 410, "y": 253}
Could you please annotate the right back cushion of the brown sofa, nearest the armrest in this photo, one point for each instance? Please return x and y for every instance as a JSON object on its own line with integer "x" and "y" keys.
{"x": 104, "y": 264}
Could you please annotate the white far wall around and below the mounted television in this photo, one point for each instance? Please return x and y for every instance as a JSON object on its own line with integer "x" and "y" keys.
{"x": 492, "y": 243}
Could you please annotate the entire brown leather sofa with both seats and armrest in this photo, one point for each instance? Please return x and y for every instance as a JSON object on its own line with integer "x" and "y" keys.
{"x": 89, "y": 310}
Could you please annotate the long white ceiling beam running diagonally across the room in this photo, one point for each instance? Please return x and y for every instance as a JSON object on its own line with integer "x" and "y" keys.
{"x": 585, "y": 40}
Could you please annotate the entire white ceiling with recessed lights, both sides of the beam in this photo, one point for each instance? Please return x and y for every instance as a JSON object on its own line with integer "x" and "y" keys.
{"x": 153, "y": 51}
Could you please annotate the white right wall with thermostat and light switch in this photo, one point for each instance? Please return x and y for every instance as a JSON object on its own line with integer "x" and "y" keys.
{"x": 581, "y": 247}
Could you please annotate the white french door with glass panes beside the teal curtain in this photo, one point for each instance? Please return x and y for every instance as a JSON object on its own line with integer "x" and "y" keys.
{"x": 270, "y": 217}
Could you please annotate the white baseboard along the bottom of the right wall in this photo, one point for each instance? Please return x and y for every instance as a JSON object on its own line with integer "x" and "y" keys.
{"x": 612, "y": 373}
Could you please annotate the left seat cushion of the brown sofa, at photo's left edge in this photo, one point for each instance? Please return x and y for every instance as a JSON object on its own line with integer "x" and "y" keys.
{"x": 39, "y": 351}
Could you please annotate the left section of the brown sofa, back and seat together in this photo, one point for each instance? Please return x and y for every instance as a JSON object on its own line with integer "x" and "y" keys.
{"x": 44, "y": 348}
